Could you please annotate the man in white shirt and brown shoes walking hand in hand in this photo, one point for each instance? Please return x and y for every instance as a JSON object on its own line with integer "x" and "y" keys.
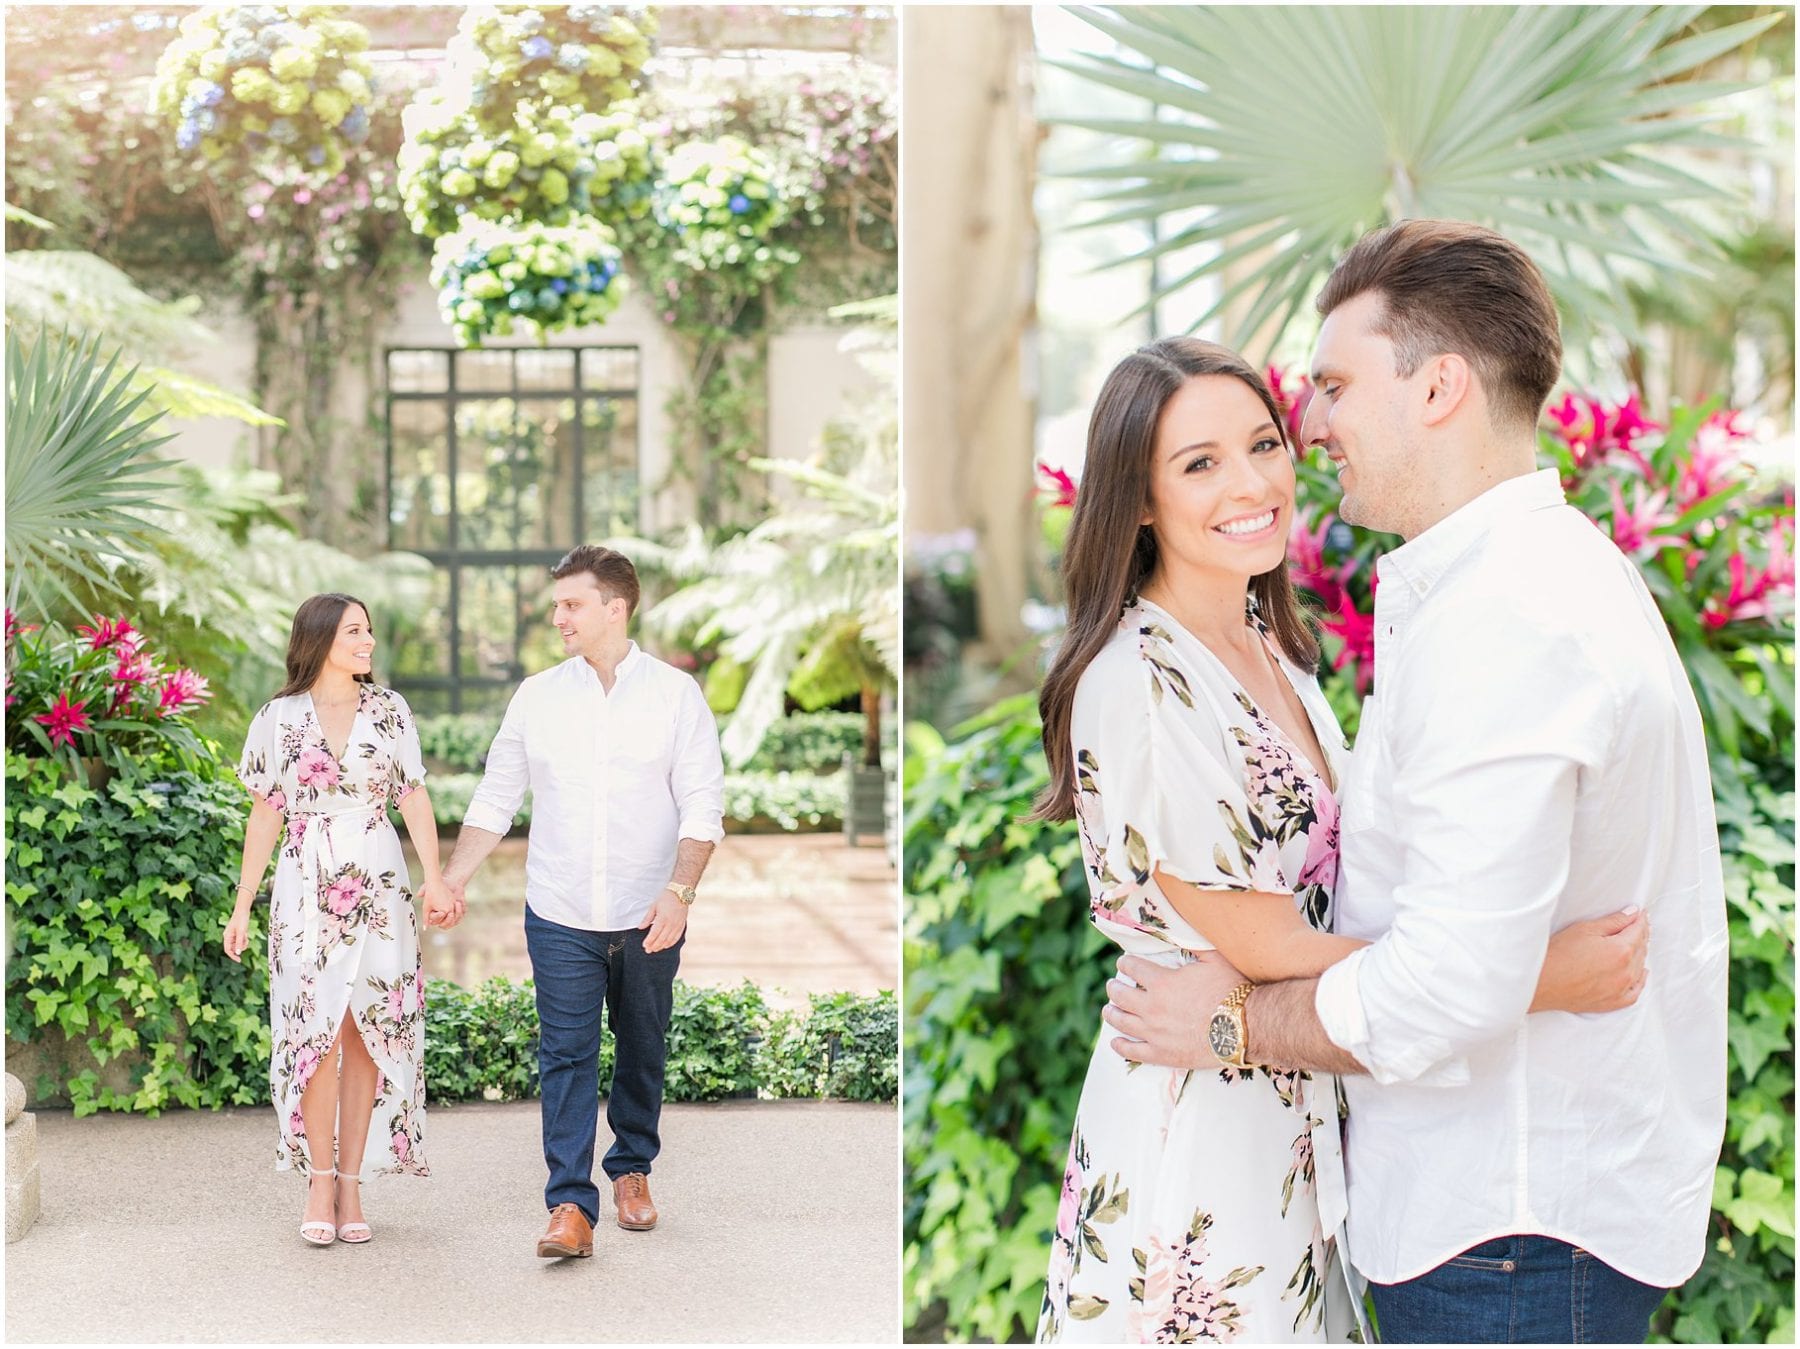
{"x": 627, "y": 802}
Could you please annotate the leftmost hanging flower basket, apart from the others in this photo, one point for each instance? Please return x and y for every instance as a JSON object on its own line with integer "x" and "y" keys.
{"x": 278, "y": 89}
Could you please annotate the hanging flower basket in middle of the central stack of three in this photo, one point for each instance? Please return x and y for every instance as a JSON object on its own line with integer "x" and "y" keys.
{"x": 550, "y": 167}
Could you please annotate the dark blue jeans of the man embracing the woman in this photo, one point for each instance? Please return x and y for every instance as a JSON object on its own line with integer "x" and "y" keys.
{"x": 1518, "y": 1290}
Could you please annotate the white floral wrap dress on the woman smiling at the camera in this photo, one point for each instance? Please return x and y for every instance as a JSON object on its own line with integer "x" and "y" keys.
{"x": 1198, "y": 1206}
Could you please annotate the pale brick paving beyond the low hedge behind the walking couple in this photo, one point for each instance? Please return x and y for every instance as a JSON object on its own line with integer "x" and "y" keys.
{"x": 795, "y": 914}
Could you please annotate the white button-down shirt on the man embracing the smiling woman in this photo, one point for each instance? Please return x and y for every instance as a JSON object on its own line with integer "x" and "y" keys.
{"x": 1533, "y": 757}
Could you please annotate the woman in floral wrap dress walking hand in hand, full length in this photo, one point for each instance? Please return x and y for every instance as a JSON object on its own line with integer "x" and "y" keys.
{"x": 343, "y": 946}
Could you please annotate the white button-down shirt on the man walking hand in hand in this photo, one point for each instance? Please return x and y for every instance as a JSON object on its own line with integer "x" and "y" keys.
{"x": 616, "y": 781}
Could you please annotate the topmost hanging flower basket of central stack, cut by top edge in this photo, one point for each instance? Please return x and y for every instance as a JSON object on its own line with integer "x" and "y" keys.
{"x": 579, "y": 57}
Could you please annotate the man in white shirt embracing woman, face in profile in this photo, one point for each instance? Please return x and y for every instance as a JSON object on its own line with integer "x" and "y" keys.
{"x": 1533, "y": 756}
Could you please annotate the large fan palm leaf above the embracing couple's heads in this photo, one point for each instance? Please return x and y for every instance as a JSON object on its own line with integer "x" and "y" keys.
{"x": 1576, "y": 131}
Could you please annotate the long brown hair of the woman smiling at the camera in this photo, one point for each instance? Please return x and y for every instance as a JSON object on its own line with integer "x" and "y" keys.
{"x": 1111, "y": 554}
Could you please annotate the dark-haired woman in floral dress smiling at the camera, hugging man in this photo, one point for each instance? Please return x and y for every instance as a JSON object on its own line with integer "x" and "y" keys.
{"x": 1189, "y": 739}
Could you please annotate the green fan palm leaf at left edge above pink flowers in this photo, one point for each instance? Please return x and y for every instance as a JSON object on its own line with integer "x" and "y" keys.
{"x": 80, "y": 475}
